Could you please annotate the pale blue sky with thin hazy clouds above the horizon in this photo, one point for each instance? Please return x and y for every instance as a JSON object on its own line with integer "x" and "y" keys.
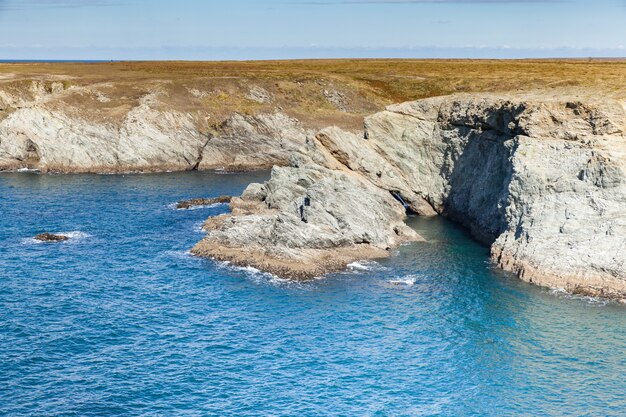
{"x": 280, "y": 29}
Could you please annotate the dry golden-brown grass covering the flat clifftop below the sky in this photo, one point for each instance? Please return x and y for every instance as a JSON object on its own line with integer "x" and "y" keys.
{"x": 298, "y": 87}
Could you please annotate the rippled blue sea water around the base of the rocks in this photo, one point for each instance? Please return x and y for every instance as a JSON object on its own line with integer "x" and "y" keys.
{"x": 120, "y": 320}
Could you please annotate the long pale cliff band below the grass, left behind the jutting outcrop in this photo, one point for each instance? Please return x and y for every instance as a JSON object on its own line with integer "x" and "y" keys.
{"x": 36, "y": 135}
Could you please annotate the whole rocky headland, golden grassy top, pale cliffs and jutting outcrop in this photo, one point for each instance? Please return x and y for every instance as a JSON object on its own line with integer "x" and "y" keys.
{"x": 537, "y": 174}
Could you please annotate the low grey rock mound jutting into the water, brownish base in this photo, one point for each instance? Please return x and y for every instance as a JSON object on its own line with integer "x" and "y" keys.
{"x": 305, "y": 221}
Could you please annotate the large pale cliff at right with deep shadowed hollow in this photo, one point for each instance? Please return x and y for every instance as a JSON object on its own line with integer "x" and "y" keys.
{"x": 542, "y": 182}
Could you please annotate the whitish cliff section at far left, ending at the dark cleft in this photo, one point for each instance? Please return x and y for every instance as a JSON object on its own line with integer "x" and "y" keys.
{"x": 147, "y": 140}
